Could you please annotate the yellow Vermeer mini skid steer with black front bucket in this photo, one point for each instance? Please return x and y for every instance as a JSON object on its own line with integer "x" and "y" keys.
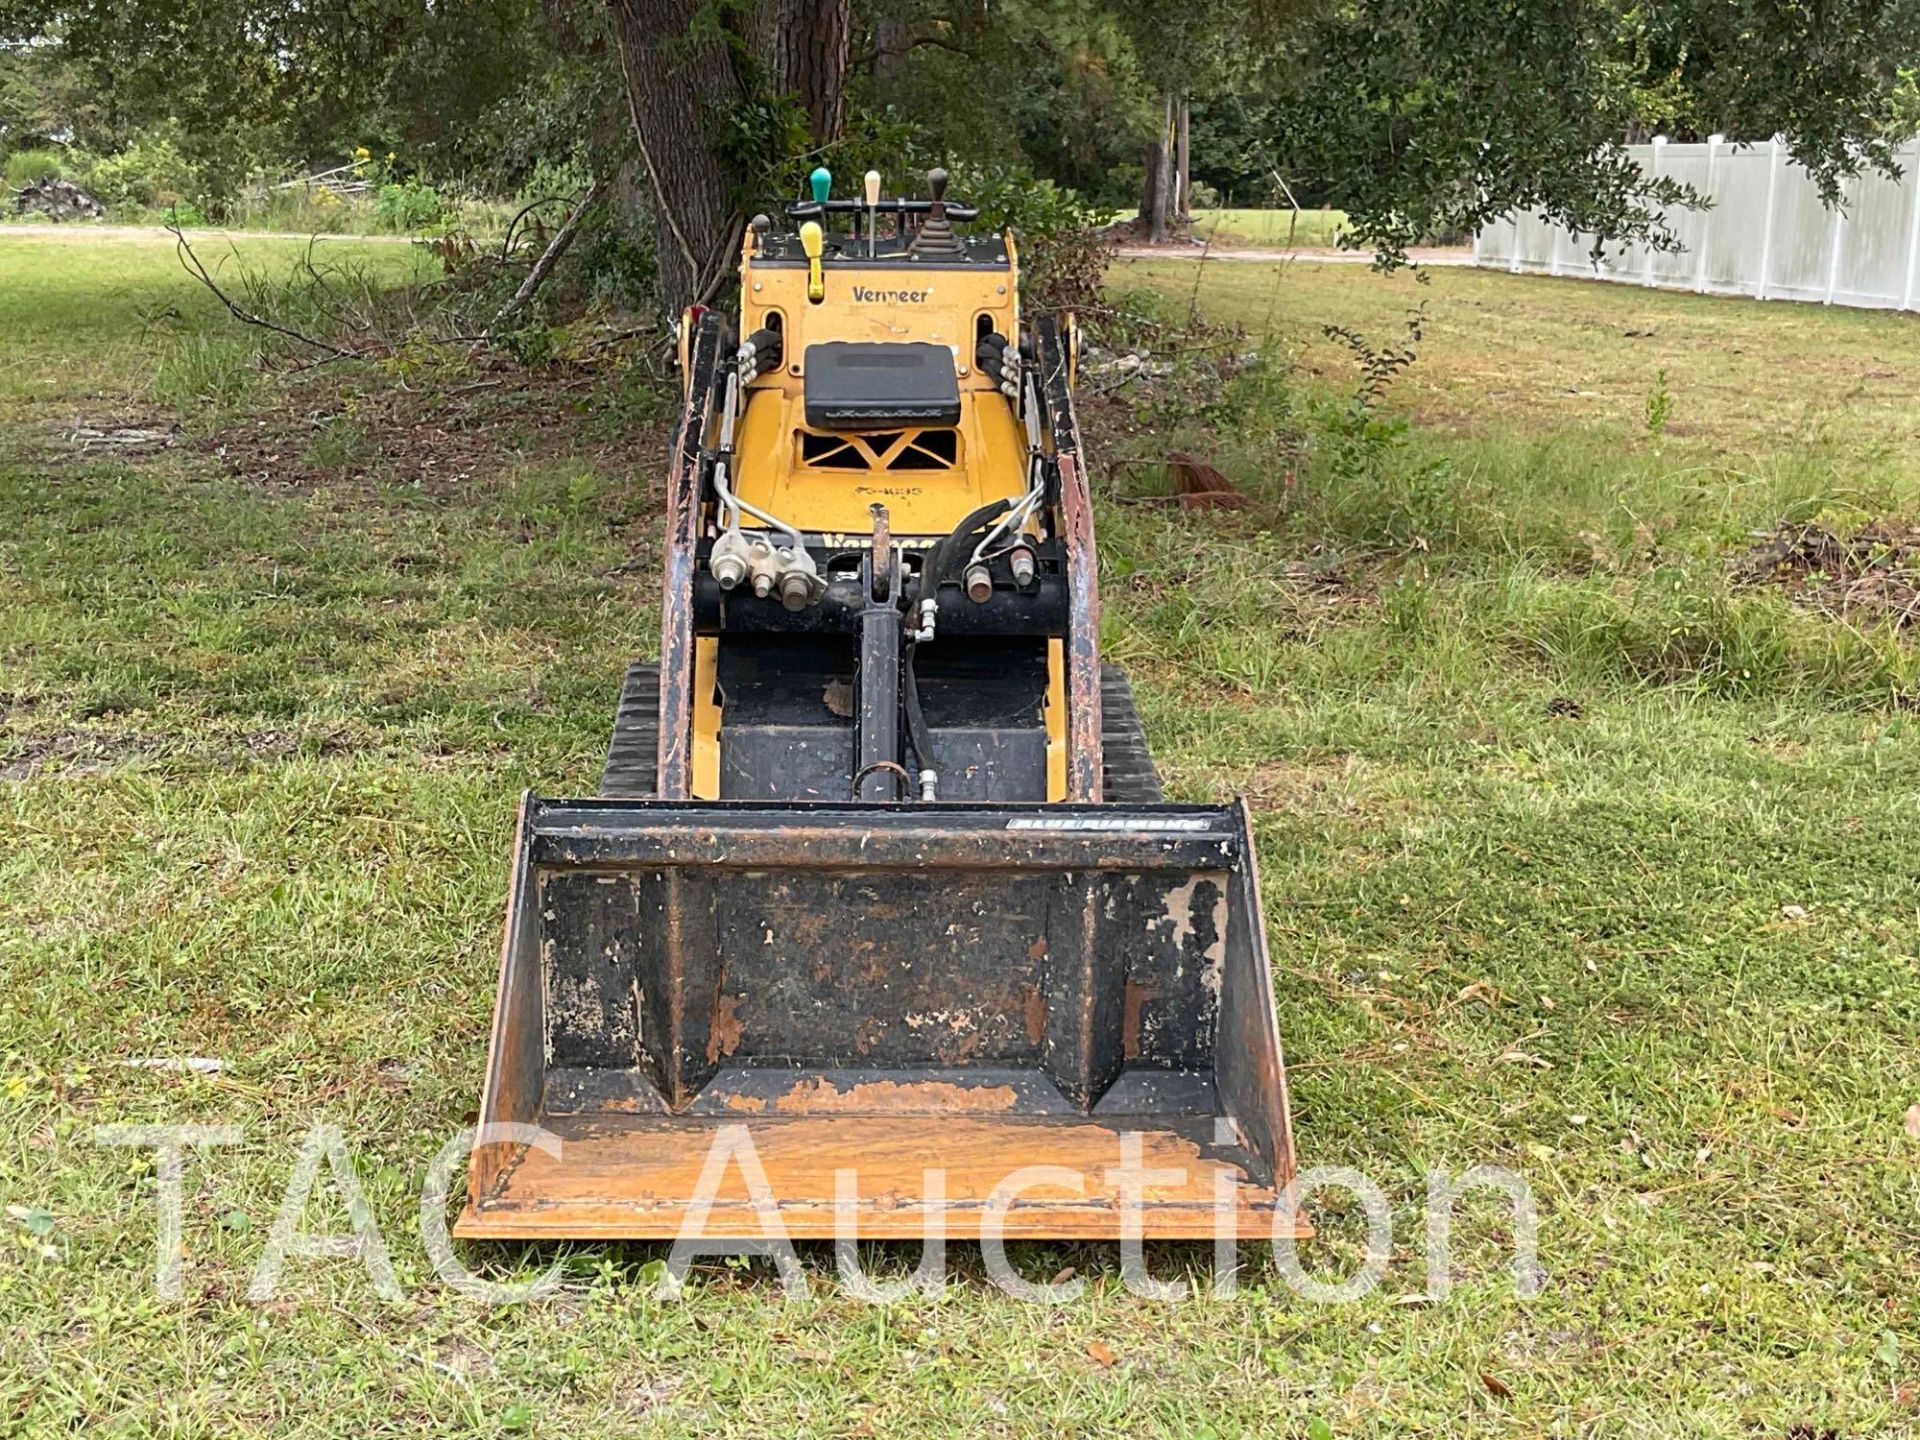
{"x": 880, "y": 886}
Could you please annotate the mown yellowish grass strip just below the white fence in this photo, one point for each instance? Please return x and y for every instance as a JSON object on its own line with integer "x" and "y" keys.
{"x": 1510, "y": 356}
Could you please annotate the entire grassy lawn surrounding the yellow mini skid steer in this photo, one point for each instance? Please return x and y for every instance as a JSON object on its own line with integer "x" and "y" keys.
{"x": 1579, "y": 859}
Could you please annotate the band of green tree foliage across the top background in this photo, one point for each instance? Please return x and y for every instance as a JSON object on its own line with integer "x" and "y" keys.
{"x": 1418, "y": 118}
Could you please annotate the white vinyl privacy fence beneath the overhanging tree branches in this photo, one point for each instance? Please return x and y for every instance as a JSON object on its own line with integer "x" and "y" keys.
{"x": 1767, "y": 233}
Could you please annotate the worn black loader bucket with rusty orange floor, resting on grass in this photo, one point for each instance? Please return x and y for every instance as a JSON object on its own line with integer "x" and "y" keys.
{"x": 934, "y": 997}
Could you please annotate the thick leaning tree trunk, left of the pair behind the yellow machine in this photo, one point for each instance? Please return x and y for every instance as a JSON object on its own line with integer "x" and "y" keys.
{"x": 679, "y": 93}
